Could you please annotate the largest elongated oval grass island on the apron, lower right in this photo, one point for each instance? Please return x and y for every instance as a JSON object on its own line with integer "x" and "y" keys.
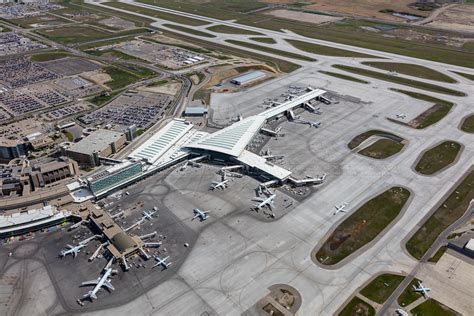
{"x": 363, "y": 225}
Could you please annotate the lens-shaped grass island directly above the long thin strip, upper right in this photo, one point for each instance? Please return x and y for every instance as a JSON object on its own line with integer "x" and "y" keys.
{"x": 411, "y": 70}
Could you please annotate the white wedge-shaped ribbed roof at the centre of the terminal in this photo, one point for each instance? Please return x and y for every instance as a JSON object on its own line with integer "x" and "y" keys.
{"x": 231, "y": 140}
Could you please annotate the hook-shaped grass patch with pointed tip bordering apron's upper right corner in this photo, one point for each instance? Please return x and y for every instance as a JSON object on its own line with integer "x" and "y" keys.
{"x": 439, "y": 110}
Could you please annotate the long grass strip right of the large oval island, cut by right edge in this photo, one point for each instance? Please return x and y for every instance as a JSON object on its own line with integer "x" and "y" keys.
{"x": 447, "y": 213}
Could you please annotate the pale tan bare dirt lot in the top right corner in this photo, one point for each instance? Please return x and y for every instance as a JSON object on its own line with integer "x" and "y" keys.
{"x": 457, "y": 18}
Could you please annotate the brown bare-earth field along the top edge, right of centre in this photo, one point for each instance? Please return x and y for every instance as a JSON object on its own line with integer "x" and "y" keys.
{"x": 366, "y": 8}
